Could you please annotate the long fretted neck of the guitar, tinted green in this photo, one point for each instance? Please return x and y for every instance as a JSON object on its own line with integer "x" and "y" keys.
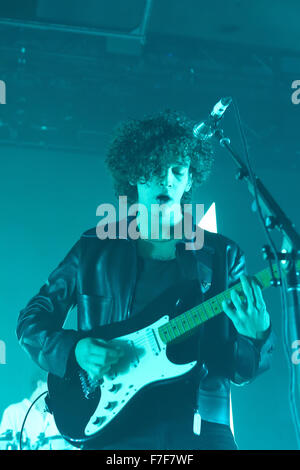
{"x": 188, "y": 322}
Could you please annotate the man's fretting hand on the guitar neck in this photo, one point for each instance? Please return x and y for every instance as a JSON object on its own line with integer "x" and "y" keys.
{"x": 250, "y": 317}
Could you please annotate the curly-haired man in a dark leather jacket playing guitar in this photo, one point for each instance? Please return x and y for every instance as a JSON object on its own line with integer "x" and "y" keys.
{"x": 155, "y": 162}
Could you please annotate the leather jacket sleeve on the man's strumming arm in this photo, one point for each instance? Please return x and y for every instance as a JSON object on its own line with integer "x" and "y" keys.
{"x": 40, "y": 324}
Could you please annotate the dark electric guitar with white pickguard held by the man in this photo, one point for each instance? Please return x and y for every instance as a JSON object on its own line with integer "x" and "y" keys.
{"x": 86, "y": 410}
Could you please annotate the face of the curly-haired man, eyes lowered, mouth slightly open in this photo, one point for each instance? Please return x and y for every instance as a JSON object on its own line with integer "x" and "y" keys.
{"x": 164, "y": 192}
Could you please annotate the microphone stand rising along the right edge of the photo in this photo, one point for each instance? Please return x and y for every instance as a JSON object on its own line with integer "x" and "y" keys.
{"x": 275, "y": 218}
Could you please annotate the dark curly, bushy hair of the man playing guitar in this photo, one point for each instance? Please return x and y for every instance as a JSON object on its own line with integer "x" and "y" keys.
{"x": 140, "y": 149}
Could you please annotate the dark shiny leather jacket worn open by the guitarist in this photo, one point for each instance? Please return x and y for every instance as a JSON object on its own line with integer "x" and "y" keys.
{"x": 98, "y": 276}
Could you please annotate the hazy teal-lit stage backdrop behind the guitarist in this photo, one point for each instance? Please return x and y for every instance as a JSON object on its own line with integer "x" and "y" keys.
{"x": 65, "y": 94}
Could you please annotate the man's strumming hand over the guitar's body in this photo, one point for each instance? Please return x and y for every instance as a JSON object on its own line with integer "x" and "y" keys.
{"x": 96, "y": 356}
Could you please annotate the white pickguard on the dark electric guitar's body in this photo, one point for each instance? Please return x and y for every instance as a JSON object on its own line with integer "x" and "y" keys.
{"x": 145, "y": 362}
